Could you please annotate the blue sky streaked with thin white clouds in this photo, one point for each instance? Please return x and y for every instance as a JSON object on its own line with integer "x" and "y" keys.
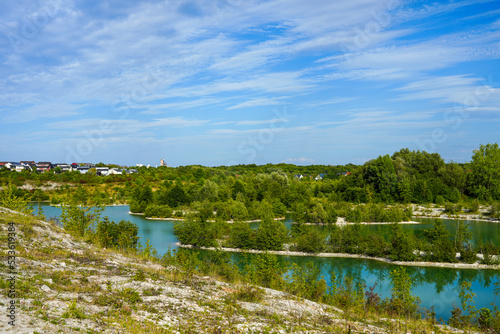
{"x": 246, "y": 81}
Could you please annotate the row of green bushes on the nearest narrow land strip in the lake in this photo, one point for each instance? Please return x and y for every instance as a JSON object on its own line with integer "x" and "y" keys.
{"x": 434, "y": 244}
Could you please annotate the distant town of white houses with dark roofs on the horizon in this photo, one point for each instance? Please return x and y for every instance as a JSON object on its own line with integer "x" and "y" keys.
{"x": 83, "y": 168}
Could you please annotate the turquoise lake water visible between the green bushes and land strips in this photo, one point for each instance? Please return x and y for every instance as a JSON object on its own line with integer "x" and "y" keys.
{"x": 435, "y": 286}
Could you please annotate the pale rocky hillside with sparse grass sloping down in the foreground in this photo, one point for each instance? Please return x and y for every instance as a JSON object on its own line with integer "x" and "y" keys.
{"x": 69, "y": 286}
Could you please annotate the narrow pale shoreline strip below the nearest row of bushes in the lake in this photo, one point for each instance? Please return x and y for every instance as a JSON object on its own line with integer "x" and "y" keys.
{"x": 357, "y": 256}
